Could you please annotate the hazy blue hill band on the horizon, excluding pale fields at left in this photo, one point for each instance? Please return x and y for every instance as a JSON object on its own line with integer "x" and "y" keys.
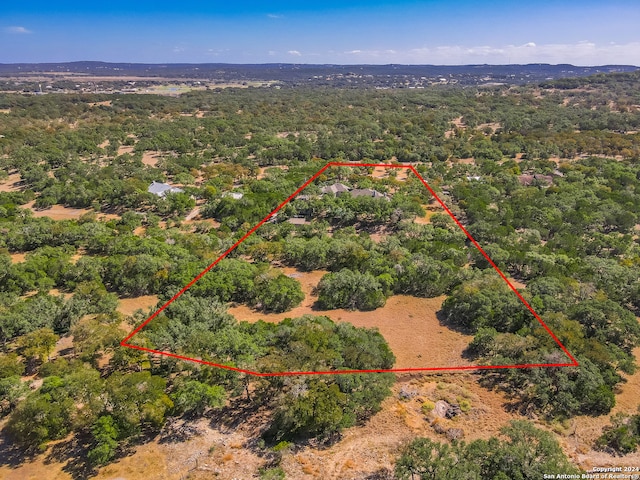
{"x": 381, "y": 76}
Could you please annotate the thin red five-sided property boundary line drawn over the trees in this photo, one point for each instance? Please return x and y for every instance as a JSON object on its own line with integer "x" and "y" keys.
{"x": 125, "y": 343}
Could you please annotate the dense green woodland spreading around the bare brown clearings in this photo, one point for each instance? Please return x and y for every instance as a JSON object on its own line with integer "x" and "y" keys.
{"x": 545, "y": 177}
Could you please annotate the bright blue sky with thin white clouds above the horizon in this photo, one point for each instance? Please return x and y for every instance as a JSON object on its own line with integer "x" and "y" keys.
{"x": 442, "y": 32}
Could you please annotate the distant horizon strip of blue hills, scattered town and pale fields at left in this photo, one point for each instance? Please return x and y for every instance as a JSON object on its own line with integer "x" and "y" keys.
{"x": 100, "y": 77}
